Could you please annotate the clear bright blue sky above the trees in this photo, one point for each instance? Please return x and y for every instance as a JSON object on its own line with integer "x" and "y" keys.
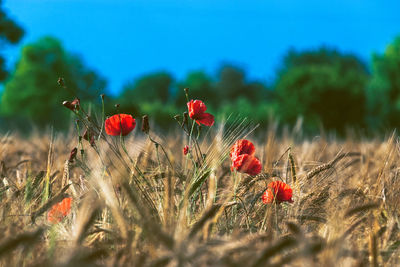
{"x": 124, "y": 39}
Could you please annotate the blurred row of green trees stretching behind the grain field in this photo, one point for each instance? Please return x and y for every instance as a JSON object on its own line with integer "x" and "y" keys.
{"x": 324, "y": 87}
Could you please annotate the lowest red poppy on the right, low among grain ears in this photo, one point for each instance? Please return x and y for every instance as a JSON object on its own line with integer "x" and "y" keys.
{"x": 277, "y": 191}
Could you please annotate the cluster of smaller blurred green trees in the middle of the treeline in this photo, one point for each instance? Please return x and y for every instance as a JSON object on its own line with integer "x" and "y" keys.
{"x": 151, "y": 95}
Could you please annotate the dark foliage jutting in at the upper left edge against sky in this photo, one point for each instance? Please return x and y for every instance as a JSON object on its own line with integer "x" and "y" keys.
{"x": 10, "y": 33}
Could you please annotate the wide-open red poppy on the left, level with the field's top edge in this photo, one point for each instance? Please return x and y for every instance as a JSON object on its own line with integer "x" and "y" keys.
{"x": 120, "y": 124}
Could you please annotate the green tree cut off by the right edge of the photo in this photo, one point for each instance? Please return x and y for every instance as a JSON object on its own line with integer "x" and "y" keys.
{"x": 384, "y": 88}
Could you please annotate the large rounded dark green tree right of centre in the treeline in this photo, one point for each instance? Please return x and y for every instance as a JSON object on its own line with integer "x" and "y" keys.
{"x": 324, "y": 86}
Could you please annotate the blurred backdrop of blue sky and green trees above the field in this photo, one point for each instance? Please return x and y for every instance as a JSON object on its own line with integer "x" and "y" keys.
{"x": 331, "y": 65}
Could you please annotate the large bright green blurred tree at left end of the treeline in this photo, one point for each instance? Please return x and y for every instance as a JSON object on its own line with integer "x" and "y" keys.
{"x": 32, "y": 91}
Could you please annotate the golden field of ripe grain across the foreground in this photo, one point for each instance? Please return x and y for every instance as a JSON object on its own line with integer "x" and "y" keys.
{"x": 141, "y": 202}
